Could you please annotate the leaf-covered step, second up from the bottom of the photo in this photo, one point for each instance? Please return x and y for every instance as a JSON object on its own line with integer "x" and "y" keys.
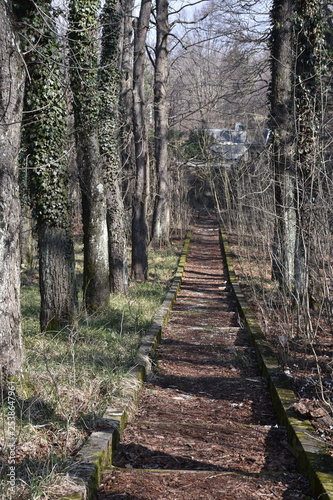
{"x": 189, "y": 446}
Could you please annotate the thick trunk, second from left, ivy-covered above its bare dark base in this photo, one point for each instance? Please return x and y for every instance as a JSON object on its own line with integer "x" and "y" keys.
{"x": 46, "y": 159}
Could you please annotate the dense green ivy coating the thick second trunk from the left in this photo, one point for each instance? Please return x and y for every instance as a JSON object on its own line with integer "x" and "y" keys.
{"x": 44, "y": 137}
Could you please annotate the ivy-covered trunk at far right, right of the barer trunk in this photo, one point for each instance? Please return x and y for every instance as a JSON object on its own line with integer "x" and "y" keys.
{"x": 309, "y": 83}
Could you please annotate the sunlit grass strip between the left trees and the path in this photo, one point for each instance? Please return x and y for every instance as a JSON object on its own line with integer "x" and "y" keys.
{"x": 71, "y": 376}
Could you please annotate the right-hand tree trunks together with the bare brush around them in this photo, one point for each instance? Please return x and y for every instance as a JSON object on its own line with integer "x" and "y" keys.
{"x": 281, "y": 196}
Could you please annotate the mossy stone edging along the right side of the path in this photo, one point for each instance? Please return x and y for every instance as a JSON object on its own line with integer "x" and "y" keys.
{"x": 312, "y": 457}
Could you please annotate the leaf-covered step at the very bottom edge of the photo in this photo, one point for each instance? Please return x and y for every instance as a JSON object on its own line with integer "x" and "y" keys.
{"x": 155, "y": 484}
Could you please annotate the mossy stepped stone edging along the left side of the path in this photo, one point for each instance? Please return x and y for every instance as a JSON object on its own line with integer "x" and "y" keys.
{"x": 96, "y": 454}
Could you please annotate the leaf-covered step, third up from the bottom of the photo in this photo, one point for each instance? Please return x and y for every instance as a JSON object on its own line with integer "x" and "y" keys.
{"x": 245, "y": 401}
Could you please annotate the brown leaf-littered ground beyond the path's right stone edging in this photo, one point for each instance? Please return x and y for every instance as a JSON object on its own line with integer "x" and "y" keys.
{"x": 307, "y": 359}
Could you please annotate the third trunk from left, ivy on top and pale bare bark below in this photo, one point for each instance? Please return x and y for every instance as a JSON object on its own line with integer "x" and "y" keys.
{"x": 83, "y": 42}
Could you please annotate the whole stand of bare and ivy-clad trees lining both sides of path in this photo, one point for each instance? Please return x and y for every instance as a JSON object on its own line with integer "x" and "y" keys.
{"x": 74, "y": 92}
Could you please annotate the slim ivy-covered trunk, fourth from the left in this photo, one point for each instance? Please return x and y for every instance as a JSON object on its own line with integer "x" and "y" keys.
{"x": 109, "y": 88}
